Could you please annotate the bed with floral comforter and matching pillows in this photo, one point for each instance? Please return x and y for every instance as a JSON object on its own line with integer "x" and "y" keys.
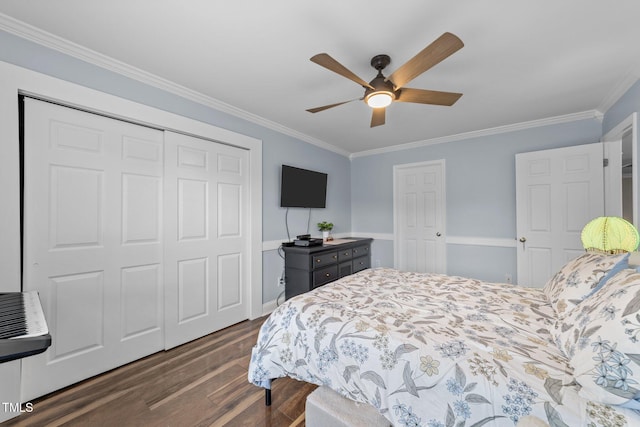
{"x": 435, "y": 350}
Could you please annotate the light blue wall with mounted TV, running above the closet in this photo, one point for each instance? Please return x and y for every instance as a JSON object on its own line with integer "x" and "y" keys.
{"x": 277, "y": 148}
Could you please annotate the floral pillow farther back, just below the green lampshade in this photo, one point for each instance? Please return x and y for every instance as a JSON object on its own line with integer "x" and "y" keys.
{"x": 580, "y": 278}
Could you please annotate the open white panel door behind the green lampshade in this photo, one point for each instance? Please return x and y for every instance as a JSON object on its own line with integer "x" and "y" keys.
{"x": 557, "y": 192}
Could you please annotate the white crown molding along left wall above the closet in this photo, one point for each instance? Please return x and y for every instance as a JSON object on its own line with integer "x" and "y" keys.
{"x": 67, "y": 47}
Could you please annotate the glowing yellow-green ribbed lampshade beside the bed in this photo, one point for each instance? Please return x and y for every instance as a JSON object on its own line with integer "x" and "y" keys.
{"x": 610, "y": 234}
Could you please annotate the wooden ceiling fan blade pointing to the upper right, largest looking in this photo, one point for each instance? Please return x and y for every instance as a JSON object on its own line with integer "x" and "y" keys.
{"x": 444, "y": 46}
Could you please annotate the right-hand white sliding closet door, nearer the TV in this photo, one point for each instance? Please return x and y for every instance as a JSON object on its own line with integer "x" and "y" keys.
{"x": 207, "y": 237}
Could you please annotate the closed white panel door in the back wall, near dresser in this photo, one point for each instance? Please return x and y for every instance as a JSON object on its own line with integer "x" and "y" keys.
{"x": 419, "y": 216}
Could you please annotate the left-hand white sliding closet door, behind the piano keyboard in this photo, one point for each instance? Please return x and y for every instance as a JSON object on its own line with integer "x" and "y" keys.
{"x": 92, "y": 243}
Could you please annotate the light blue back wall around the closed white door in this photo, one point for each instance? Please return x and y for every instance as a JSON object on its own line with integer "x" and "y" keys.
{"x": 480, "y": 192}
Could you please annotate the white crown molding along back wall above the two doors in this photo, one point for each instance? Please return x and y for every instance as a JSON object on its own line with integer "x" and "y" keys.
{"x": 567, "y": 118}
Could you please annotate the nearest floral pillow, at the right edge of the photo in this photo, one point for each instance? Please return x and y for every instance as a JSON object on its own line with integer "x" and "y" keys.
{"x": 602, "y": 341}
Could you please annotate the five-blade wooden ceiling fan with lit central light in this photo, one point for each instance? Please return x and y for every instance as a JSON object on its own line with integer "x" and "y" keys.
{"x": 382, "y": 91}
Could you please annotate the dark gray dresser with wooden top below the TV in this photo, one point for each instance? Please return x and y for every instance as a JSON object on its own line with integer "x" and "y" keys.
{"x": 307, "y": 268}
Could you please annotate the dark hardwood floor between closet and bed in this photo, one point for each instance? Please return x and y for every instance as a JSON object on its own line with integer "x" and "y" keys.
{"x": 201, "y": 383}
